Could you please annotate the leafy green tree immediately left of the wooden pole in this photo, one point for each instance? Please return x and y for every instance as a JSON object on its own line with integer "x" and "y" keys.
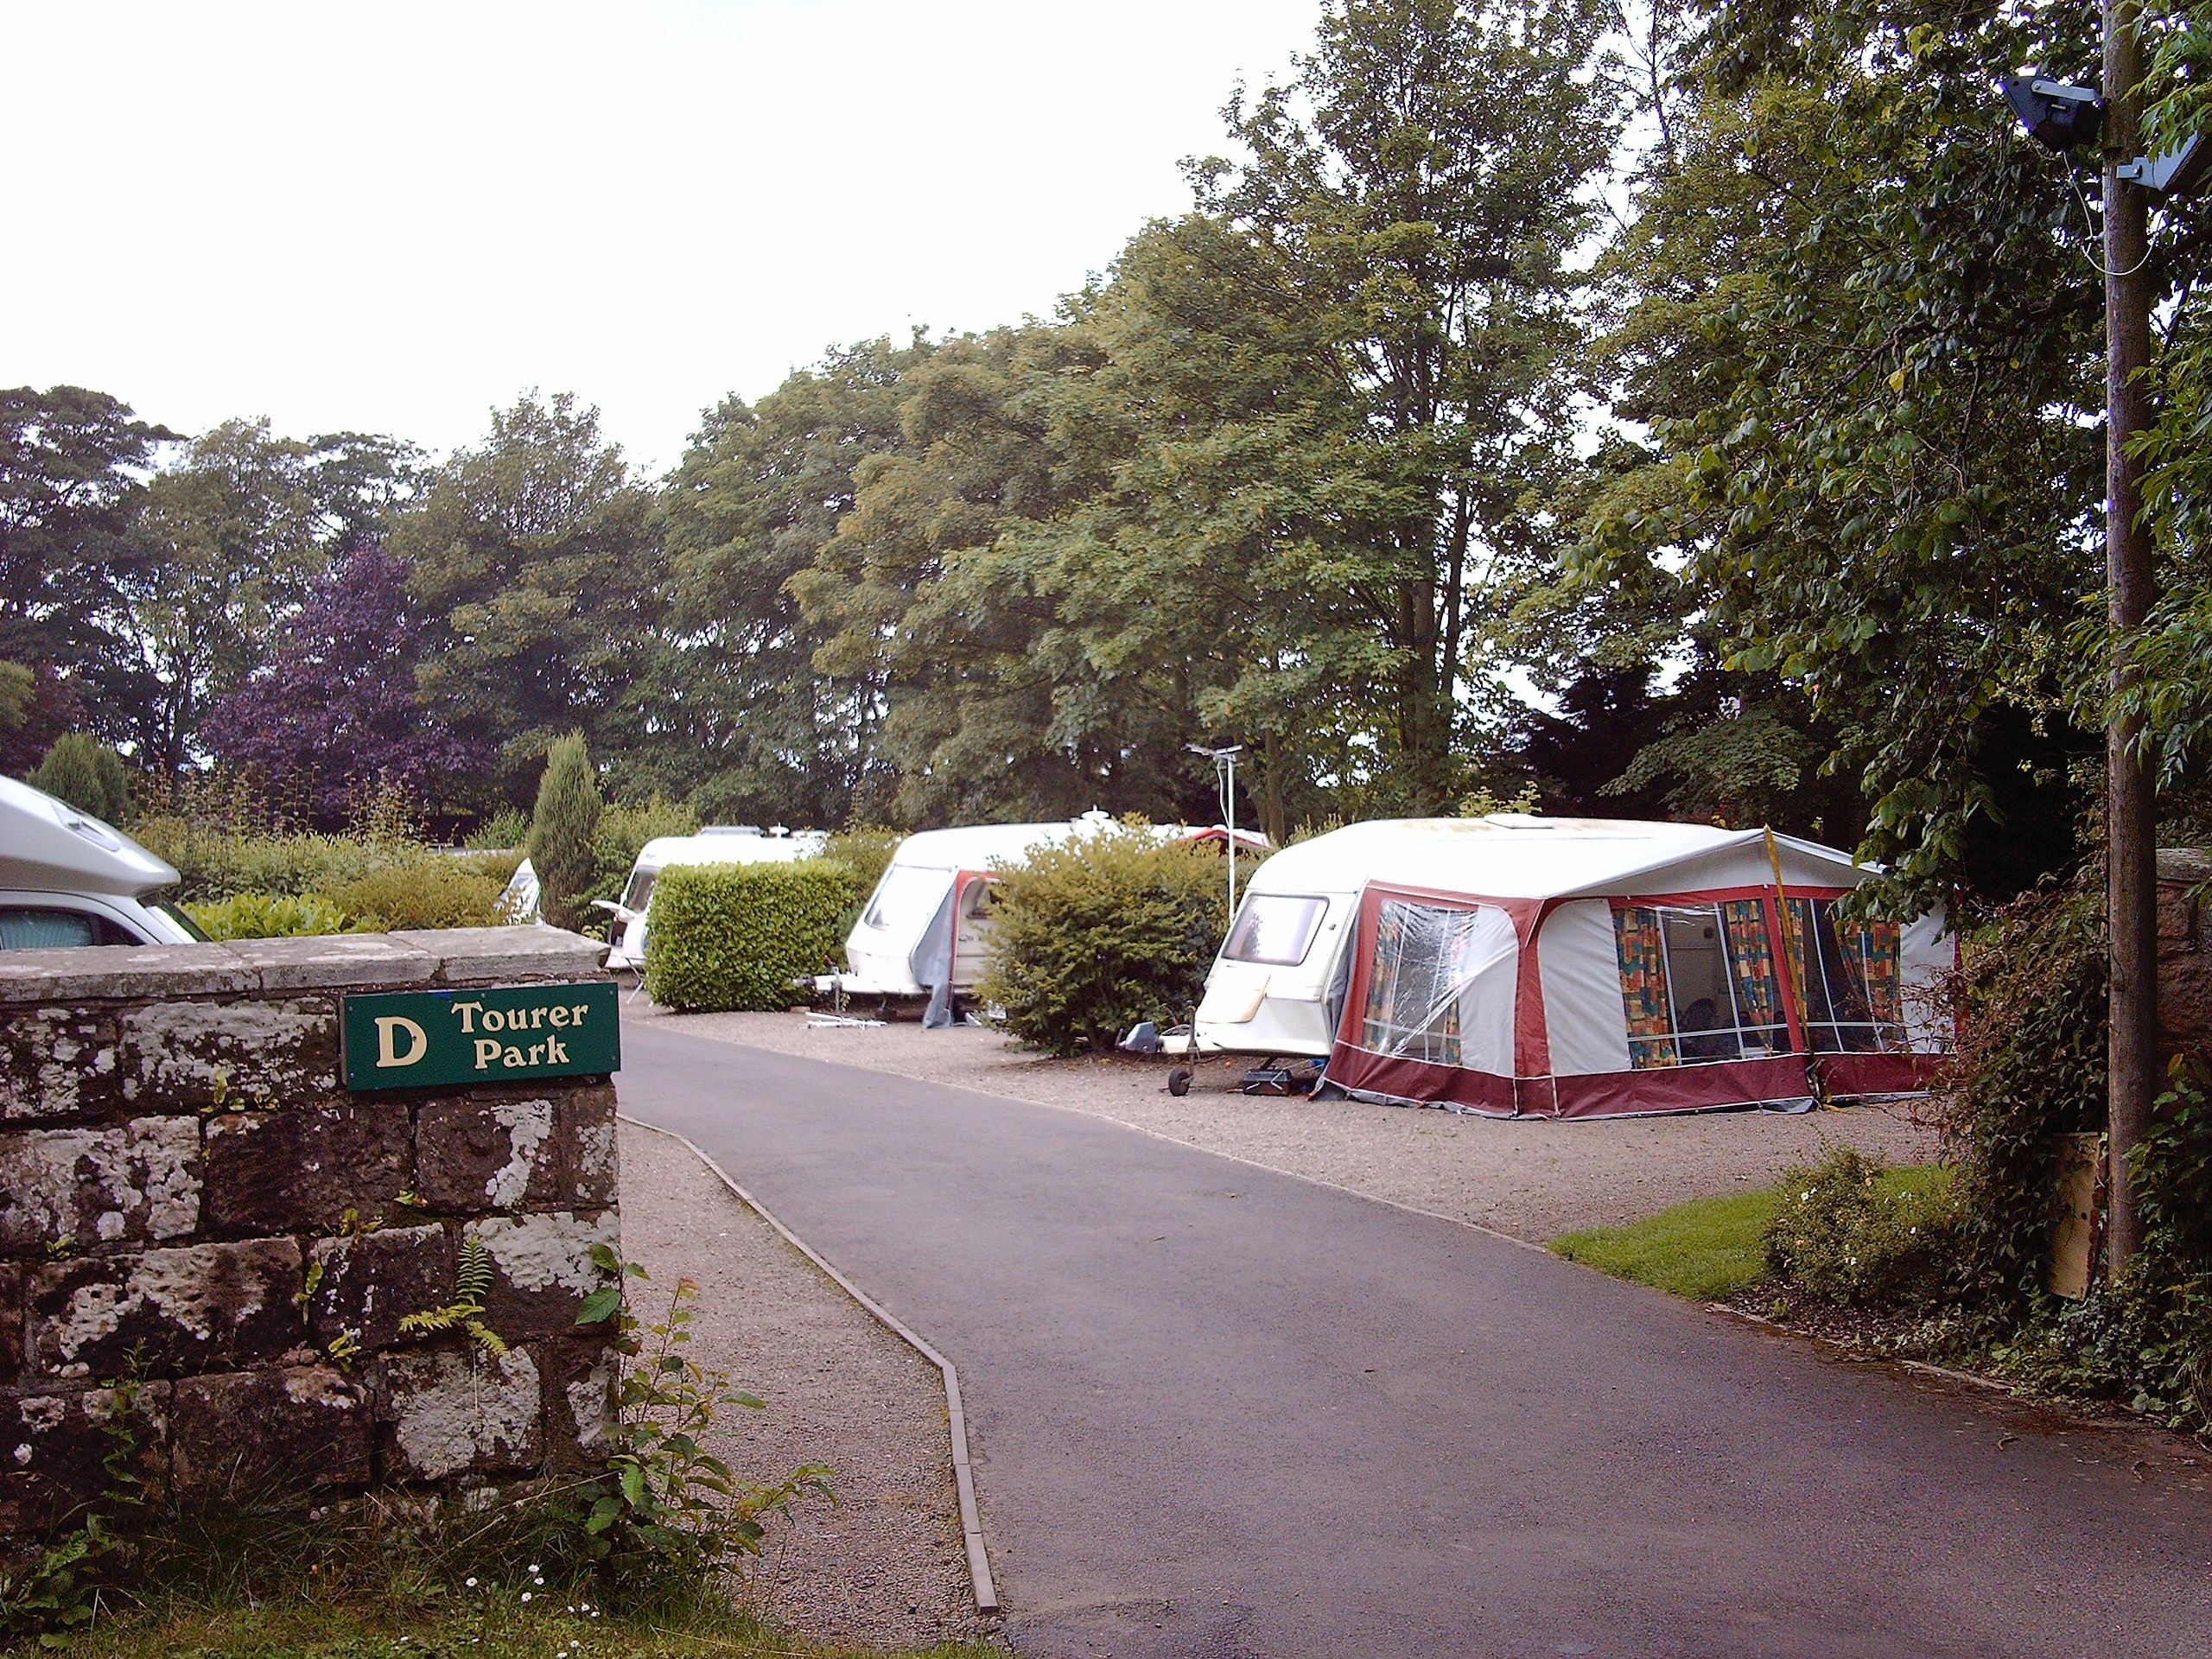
{"x": 1872, "y": 368}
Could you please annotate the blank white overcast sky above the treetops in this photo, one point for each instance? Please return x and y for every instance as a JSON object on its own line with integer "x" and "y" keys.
{"x": 390, "y": 218}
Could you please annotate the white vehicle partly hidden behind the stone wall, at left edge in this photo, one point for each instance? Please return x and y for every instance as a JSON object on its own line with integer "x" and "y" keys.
{"x": 70, "y": 879}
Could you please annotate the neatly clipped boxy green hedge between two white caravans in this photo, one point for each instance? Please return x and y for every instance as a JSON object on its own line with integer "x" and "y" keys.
{"x": 740, "y": 937}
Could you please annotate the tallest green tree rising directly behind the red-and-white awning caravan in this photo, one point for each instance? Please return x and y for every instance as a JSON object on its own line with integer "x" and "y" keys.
{"x": 1412, "y": 202}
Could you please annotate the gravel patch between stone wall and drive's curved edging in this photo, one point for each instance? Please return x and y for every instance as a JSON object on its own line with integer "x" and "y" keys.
{"x": 884, "y": 1567}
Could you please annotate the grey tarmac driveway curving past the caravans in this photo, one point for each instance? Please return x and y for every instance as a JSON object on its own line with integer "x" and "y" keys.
{"x": 1235, "y": 1415}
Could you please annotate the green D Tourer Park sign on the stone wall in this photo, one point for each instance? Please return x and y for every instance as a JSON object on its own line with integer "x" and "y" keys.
{"x": 505, "y": 1034}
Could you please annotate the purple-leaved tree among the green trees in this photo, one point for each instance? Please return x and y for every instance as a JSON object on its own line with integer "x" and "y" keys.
{"x": 333, "y": 713}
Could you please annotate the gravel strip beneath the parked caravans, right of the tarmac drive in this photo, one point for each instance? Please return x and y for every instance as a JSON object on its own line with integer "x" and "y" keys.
{"x": 1527, "y": 1178}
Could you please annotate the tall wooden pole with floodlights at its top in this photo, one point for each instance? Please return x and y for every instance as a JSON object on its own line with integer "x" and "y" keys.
{"x": 2131, "y": 795}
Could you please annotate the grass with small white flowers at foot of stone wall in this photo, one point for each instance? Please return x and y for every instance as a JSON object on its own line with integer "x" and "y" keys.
{"x": 457, "y": 1627}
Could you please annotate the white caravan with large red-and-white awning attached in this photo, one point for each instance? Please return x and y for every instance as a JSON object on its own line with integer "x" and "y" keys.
{"x": 1576, "y": 968}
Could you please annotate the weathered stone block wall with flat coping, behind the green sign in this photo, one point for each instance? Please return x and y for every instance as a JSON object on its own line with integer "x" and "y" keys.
{"x": 191, "y": 1200}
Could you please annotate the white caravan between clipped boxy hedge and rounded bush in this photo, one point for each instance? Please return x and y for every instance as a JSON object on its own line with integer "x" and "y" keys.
{"x": 928, "y": 926}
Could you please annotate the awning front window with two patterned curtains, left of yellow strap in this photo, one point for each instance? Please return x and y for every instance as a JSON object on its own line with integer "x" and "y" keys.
{"x": 1698, "y": 983}
